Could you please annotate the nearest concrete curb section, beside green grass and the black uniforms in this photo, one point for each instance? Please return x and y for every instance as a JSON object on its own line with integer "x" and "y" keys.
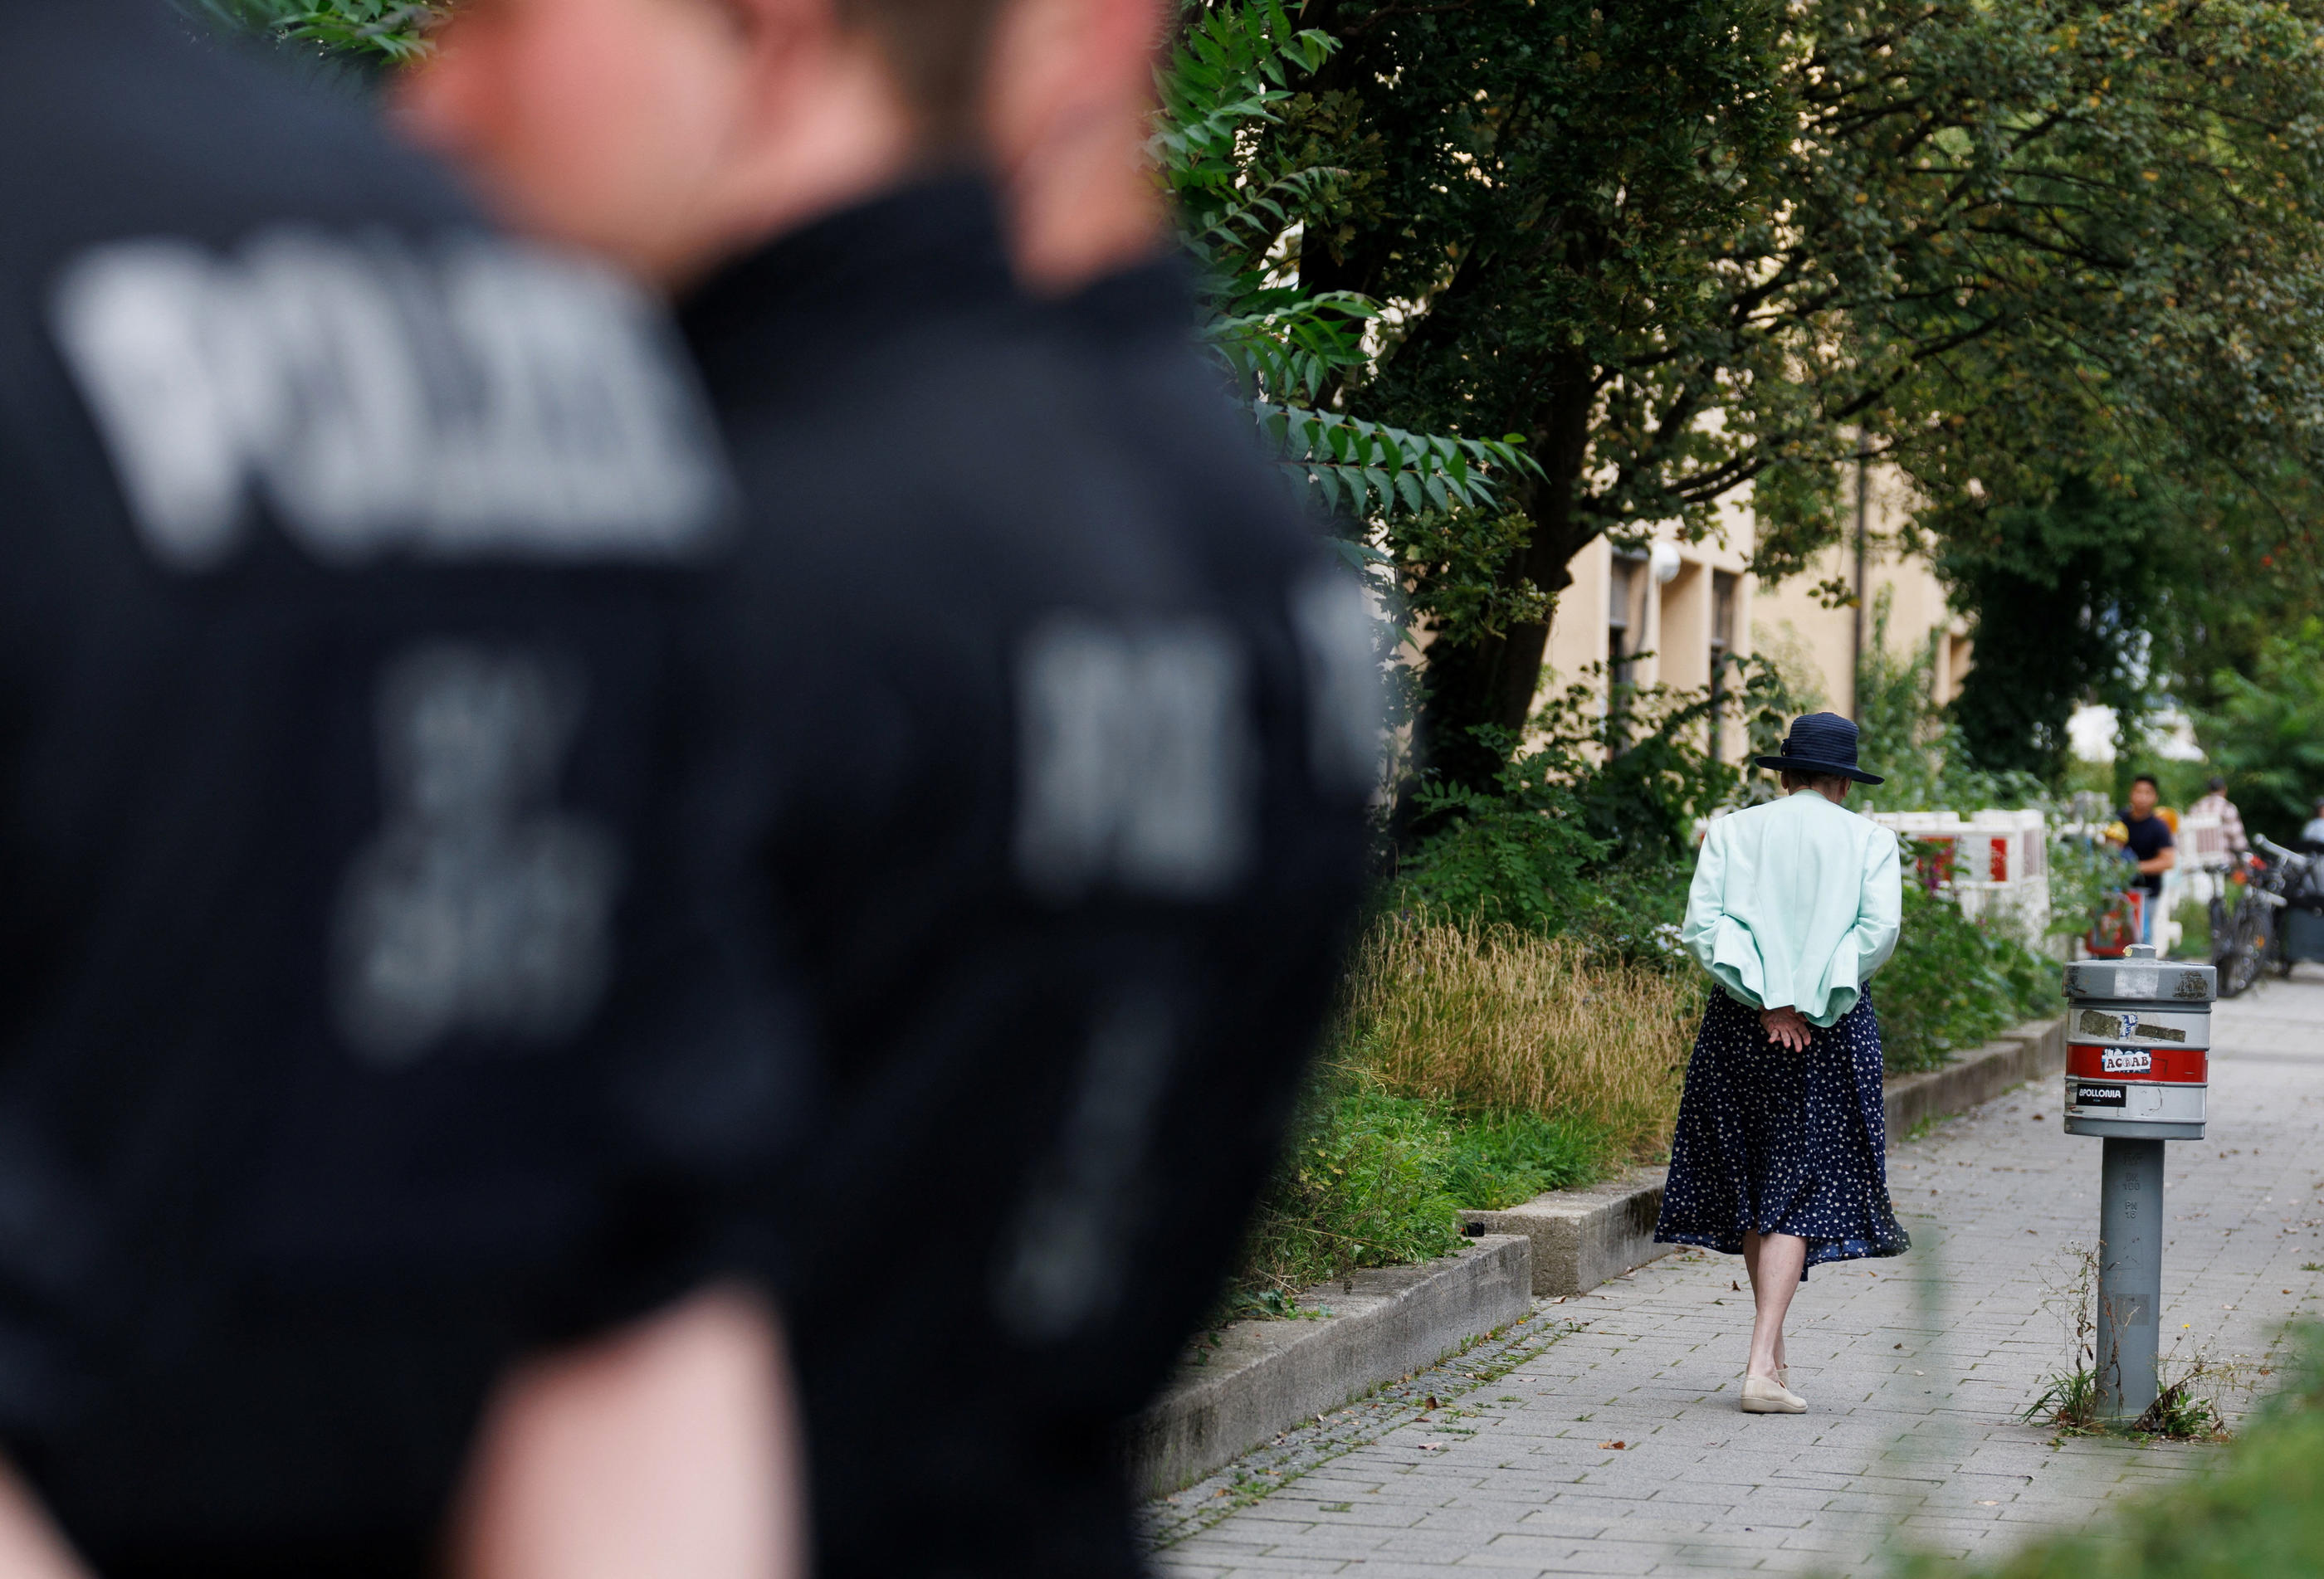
{"x": 1270, "y": 1376}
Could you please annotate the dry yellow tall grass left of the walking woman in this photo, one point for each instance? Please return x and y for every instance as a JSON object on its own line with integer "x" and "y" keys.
{"x": 1500, "y": 1018}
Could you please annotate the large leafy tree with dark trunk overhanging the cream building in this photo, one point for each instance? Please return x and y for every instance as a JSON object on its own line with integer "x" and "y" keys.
{"x": 1700, "y": 245}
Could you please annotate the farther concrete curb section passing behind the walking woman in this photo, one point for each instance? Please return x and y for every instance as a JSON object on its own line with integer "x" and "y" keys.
{"x": 1586, "y": 1236}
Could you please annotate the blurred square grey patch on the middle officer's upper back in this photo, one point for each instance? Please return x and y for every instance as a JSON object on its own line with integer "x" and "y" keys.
{"x": 1135, "y": 760}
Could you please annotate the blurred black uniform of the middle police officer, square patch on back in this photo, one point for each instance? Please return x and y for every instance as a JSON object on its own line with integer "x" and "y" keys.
{"x": 1052, "y": 823}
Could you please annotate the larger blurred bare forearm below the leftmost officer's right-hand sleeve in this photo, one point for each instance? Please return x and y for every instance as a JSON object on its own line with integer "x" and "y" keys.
{"x": 661, "y": 1452}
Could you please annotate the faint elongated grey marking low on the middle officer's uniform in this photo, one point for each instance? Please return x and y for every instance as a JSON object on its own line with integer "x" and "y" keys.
{"x": 1066, "y": 1255}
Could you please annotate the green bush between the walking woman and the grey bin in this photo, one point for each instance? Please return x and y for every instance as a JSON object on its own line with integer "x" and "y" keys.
{"x": 1956, "y": 983}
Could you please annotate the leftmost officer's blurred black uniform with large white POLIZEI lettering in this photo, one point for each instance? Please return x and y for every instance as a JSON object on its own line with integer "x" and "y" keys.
{"x": 366, "y": 1016}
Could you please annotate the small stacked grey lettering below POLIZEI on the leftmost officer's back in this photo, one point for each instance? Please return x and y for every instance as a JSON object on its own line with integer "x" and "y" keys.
{"x": 478, "y": 907}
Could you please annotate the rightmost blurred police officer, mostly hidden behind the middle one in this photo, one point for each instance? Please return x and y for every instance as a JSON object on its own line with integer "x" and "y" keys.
{"x": 1068, "y": 108}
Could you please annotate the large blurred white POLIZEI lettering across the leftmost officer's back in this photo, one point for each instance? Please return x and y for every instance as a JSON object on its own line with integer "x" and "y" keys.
{"x": 468, "y": 401}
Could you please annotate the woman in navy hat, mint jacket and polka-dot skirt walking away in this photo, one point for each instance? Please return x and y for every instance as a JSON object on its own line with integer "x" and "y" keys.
{"x": 1781, "y": 1137}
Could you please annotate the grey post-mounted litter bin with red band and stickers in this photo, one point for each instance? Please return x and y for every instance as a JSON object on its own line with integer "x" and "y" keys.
{"x": 2137, "y": 1074}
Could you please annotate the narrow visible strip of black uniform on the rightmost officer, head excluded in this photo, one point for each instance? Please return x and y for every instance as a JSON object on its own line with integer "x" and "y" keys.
{"x": 1279, "y": 946}
